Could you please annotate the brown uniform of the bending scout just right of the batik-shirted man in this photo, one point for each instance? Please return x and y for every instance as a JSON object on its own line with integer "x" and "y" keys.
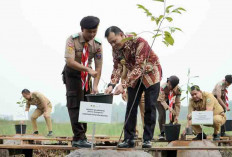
{"x": 163, "y": 104}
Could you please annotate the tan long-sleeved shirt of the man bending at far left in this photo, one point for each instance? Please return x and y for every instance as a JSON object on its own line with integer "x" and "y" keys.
{"x": 39, "y": 100}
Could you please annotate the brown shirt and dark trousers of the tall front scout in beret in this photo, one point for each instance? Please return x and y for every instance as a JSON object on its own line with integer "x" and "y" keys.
{"x": 72, "y": 79}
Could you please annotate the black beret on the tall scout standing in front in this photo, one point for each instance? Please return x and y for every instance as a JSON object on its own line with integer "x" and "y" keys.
{"x": 89, "y": 22}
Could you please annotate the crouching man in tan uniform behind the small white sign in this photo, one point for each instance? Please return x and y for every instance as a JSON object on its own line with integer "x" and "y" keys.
{"x": 203, "y": 101}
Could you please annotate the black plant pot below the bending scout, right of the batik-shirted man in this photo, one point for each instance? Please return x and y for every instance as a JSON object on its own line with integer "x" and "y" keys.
{"x": 172, "y": 131}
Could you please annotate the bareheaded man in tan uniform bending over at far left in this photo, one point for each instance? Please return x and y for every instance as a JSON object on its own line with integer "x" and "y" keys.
{"x": 44, "y": 107}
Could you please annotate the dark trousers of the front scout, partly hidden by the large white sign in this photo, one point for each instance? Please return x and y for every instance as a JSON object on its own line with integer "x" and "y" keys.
{"x": 75, "y": 94}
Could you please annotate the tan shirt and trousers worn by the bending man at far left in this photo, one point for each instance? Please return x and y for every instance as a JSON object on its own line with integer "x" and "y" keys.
{"x": 41, "y": 102}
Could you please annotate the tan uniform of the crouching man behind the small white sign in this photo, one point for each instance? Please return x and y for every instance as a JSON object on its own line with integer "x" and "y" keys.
{"x": 208, "y": 100}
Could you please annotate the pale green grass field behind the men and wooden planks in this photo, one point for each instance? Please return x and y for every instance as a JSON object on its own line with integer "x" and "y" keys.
{"x": 64, "y": 129}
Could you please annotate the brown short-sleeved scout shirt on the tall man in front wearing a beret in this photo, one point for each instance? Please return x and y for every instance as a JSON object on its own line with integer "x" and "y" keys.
{"x": 74, "y": 48}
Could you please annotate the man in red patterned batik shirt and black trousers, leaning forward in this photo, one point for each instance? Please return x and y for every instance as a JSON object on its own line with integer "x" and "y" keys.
{"x": 141, "y": 77}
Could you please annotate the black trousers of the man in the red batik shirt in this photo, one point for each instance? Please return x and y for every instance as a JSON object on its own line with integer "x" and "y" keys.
{"x": 151, "y": 95}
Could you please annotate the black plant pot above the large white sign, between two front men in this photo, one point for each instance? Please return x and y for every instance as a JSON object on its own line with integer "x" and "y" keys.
{"x": 100, "y": 98}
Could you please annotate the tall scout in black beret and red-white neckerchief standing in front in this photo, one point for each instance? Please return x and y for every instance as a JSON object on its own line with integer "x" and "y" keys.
{"x": 81, "y": 48}
